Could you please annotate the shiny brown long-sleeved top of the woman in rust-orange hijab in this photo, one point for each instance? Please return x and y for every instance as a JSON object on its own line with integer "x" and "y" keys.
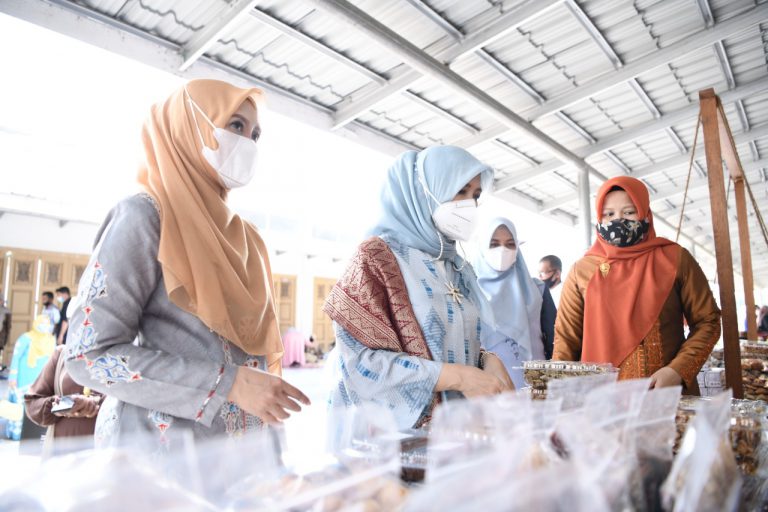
{"x": 665, "y": 344}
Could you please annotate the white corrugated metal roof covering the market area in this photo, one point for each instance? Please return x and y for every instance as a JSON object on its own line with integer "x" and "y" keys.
{"x": 551, "y": 57}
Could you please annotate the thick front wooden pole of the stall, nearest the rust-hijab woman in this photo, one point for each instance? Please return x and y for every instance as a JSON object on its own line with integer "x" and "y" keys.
{"x": 731, "y": 347}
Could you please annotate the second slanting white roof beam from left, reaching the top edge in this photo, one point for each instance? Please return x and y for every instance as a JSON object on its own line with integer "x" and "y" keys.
{"x": 446, "y": 50}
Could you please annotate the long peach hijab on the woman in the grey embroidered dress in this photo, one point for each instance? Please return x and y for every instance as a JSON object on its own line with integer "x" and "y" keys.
{"x": 215, "y": 265}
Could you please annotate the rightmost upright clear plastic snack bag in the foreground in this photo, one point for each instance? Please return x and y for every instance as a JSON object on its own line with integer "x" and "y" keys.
{"x": 704, "y": 475}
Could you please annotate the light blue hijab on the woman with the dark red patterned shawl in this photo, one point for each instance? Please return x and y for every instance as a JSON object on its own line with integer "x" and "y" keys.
{"x": 407, "y": 210}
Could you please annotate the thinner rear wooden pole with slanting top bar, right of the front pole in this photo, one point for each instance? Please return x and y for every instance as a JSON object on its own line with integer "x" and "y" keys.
{"x": 732, "y": 160}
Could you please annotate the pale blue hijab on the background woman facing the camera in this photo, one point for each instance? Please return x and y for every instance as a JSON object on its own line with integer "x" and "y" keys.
{"x": 515, "y": 297}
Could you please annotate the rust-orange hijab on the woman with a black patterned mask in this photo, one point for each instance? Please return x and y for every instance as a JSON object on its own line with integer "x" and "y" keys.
{"x": 621, "y": 307}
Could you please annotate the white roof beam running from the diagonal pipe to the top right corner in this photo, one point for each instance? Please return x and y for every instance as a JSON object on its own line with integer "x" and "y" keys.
{"x": 706, "y": 37}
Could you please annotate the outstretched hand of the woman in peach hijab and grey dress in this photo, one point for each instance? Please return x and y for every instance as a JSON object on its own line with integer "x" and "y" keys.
{"x": 265, "y": 395}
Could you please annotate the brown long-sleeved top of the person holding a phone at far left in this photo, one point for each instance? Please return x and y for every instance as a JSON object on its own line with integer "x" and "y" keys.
{"x": 41, "y": 397}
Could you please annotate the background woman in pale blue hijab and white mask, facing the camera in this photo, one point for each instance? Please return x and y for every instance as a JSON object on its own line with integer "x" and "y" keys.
{"x": 522, "y": 305}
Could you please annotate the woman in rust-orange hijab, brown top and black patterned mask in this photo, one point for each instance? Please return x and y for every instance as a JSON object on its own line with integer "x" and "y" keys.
{"x": 624, "y": 302}
